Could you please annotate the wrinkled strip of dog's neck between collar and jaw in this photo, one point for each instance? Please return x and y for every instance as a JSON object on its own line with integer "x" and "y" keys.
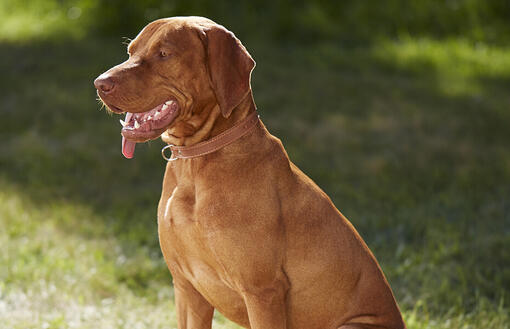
{"x": 207, "y": 123}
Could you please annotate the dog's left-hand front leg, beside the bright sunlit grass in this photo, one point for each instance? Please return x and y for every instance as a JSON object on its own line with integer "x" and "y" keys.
{"x": 193, "y": 311}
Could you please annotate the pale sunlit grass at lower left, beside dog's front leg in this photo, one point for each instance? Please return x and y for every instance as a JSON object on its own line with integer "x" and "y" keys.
{"x": 55, "y": 278}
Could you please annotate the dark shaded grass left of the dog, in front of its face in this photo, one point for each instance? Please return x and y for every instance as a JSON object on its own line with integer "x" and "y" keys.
{"x": 58, "y": 144}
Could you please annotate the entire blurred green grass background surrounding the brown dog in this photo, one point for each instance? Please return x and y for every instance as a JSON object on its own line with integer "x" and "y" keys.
{"x": 398, "y": 109}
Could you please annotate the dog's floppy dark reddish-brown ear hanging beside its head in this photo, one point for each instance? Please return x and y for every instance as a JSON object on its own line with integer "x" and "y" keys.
{"x": 229, "y": 65}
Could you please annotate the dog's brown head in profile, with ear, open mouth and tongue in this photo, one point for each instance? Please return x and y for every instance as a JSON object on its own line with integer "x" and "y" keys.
{"x": 178, "y": 70}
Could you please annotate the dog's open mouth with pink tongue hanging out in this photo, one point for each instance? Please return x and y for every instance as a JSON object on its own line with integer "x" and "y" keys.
{"x": 144, "y": 126}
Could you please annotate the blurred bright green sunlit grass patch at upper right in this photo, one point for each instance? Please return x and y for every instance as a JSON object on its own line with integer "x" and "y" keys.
{"x": 459, "y": 66}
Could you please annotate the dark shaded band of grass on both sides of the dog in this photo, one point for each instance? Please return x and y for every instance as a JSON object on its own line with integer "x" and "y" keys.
{"x": 422, "y": 172}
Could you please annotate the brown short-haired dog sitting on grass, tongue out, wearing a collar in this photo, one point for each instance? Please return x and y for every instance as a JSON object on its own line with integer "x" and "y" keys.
{"x": 241, "y": 228}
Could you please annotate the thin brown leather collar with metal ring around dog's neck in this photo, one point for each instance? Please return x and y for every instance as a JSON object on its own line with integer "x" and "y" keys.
{"x": 215, "y": 143}
